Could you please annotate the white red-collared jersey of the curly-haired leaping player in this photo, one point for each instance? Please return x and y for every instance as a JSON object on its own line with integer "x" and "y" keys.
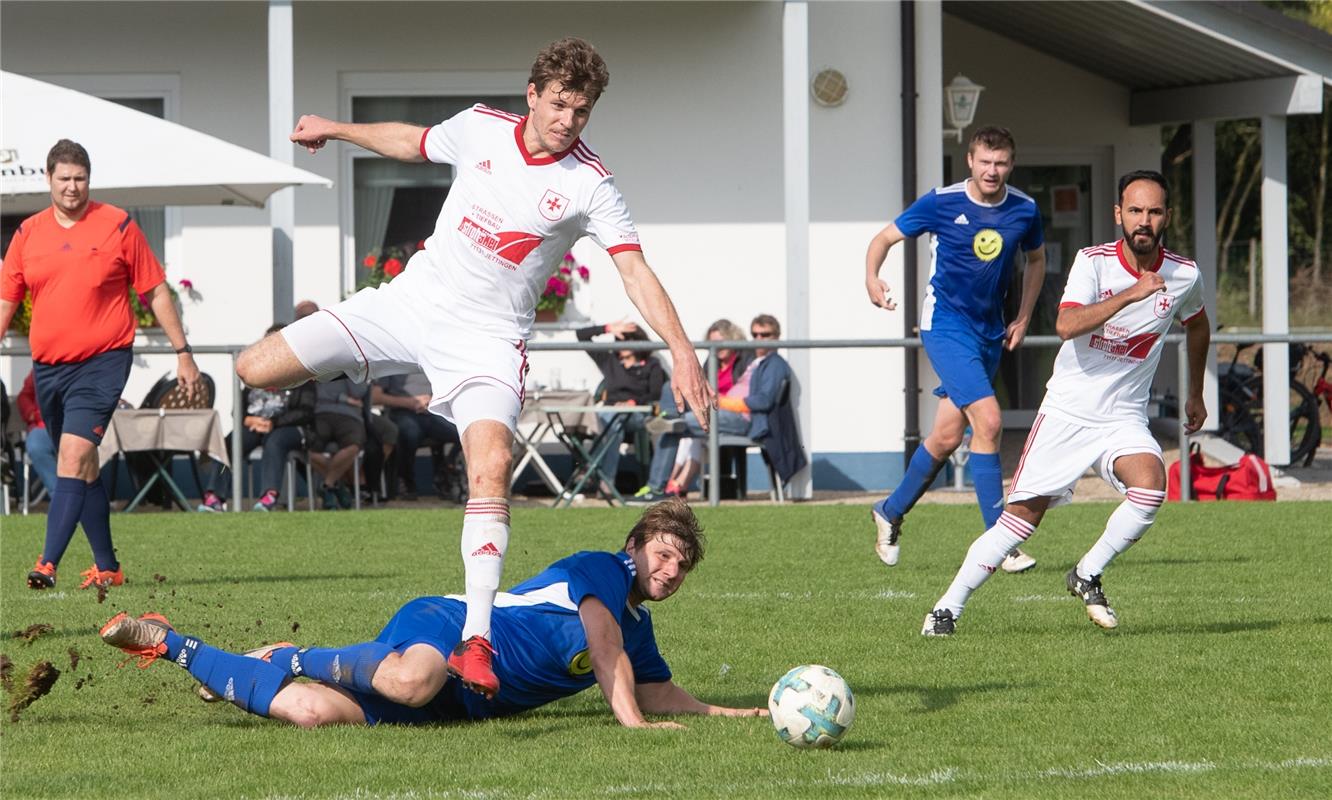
{"x": 511, "y": 219}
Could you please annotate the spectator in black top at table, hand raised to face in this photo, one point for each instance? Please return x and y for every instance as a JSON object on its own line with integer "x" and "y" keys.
{"x": 629, "y": 379}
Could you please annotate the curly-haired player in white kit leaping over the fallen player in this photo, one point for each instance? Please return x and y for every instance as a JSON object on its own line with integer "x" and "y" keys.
{"x": 527, "y": 190}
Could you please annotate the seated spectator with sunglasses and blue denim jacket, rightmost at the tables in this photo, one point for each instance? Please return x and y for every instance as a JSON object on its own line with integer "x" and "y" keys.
{"x": 752, "y": 408}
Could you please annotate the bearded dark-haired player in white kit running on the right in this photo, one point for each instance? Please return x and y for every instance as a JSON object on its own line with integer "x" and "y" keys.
{"x": 1120, "y": 301}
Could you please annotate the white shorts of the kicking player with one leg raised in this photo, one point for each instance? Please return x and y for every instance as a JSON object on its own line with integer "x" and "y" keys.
{"x": 391, "y": 331}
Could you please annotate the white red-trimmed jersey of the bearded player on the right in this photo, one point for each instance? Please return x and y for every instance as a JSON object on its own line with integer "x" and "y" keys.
{"x": 1105, "y": 377}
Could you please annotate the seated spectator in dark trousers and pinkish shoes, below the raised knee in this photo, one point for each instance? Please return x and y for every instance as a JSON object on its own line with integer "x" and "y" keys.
{"x": 274, "y": 421}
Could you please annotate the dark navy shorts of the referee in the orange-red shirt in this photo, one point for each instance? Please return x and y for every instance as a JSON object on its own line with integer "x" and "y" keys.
{"x": 79, "y": 399}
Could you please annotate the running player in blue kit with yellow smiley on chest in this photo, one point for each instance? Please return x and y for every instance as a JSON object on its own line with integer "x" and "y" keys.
{"x": 978, "y": 228}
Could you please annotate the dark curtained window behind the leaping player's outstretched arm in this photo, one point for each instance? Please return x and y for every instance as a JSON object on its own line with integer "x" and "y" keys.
{"x": 396, "y": 204}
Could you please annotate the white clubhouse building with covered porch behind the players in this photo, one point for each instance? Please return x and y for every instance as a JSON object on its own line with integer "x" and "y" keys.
{"x": 751, "y": 196}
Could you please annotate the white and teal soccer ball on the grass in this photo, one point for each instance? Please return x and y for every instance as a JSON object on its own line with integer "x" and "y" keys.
{"x": 812, "y": 706}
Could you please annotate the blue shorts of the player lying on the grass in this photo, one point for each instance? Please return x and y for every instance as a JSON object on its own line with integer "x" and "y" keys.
{"x": 424, "y": 621}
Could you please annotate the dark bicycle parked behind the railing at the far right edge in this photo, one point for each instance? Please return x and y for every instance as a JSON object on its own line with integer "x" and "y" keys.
{"x": 1241, "y": 388}
